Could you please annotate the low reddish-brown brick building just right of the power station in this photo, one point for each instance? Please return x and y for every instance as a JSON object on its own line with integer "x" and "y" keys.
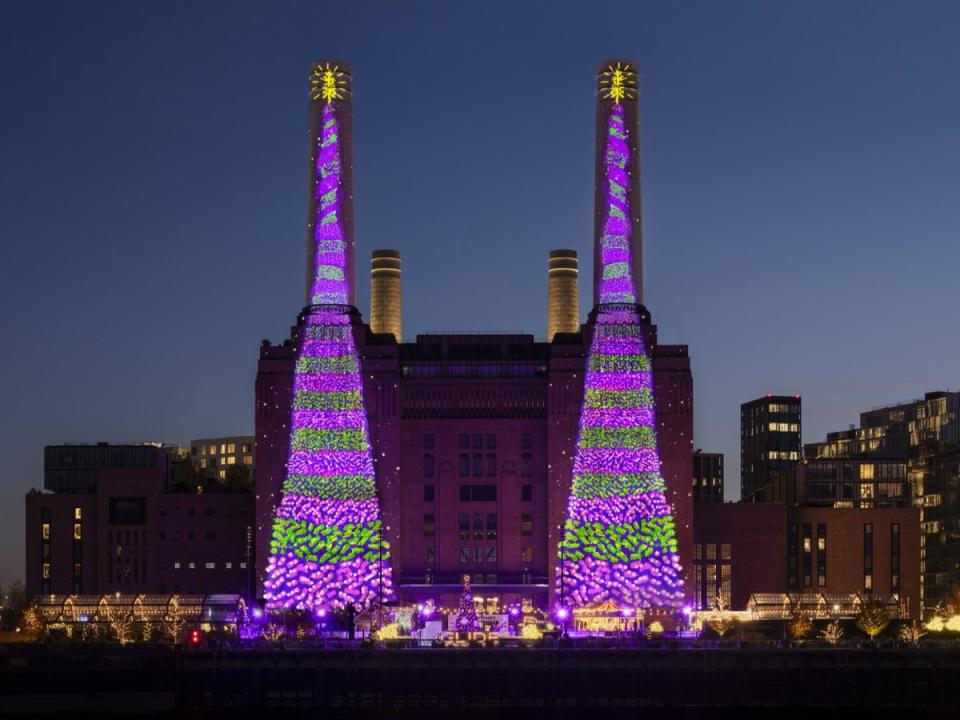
{"x": 772, "y": 547}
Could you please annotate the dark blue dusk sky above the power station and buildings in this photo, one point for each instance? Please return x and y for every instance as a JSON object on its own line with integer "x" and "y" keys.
{"x": 801, "y": 197}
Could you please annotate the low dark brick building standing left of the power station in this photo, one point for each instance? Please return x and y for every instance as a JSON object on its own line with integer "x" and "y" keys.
{"x": 127, "y": 534}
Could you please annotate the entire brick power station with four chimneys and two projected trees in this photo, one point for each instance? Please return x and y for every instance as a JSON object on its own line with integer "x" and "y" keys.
{"x": 390, "y": 468}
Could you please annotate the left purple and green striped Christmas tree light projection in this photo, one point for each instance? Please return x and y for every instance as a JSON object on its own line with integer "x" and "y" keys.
{"x": 328, "y": 549}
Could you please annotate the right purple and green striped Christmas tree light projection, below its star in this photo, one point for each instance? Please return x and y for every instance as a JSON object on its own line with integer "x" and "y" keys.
{"x": 619, "y": 543}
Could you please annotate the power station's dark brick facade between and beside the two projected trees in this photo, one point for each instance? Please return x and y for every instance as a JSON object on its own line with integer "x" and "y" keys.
{"x": 474, "y": 438}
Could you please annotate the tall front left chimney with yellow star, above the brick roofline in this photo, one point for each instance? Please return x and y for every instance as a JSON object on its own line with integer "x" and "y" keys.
{"x": 330, "y": 240}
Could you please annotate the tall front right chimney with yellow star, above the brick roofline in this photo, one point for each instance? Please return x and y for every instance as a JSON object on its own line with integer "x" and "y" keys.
{"x": 618, "y": 231}
